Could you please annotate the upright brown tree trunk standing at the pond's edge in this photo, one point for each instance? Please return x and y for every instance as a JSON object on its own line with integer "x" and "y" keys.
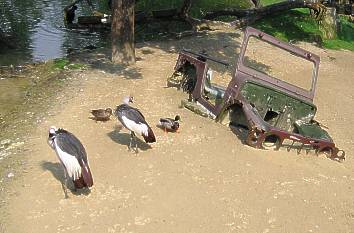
{"x": 122, "y": 31}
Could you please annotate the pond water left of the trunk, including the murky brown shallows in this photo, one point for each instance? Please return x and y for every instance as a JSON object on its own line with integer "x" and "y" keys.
{"x": 36, "y": 32}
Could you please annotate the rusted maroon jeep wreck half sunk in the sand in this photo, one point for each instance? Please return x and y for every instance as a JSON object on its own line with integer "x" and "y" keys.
{"x": 273, "y": 113}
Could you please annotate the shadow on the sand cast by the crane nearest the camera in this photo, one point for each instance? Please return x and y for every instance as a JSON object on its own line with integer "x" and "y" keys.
{"x": 58, "y": 172}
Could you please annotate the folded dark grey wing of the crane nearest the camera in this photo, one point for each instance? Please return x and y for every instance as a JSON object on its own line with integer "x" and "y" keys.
{"x": 71, "y": 145}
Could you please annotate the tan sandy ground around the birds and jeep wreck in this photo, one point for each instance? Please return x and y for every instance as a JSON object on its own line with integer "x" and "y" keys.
{"x": 202, "y": 179}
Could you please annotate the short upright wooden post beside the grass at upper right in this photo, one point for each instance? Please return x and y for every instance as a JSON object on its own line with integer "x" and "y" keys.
{"x": 328, "y": 27}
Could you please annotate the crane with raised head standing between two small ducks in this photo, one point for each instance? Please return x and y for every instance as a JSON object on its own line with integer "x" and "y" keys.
{"x": 133, "y": 120}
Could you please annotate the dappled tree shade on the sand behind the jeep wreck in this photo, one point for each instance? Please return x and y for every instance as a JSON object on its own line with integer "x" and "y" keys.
{"x": 221, "y": 46}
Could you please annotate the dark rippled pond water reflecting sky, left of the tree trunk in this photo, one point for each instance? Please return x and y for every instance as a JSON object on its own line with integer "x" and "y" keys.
{"x": 38, "y": 32}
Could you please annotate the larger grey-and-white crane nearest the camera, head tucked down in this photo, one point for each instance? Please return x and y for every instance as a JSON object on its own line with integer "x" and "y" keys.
{"x": 72, "y": 155}
